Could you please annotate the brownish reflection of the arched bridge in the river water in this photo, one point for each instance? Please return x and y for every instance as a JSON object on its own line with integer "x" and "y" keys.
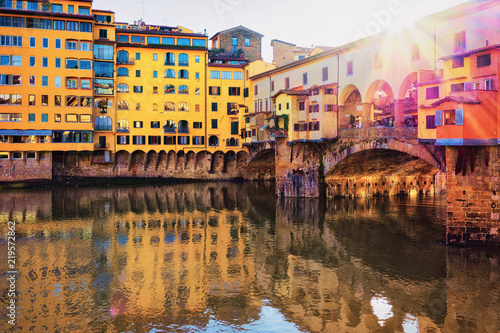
{"x": 332, "y": 273}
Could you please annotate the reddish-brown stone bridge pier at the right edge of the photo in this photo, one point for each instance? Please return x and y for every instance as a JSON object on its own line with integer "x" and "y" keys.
{"x": 473, "y": 195}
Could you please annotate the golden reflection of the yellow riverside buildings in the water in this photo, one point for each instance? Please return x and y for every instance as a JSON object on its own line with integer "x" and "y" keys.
{"x": 115, "y": 258}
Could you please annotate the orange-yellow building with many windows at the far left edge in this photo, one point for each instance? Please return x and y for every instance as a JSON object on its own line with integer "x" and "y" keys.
{"x": 46, "y": 77}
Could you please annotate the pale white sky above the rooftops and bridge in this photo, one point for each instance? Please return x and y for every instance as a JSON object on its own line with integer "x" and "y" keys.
{"x": 301, "y": 22}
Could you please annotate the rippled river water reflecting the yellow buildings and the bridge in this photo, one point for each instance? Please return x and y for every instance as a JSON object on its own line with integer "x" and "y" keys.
{"x": 223, "y": 257}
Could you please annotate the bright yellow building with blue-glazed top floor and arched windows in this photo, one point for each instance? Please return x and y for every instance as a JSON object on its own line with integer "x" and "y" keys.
{"x": 160, "y": 83}
